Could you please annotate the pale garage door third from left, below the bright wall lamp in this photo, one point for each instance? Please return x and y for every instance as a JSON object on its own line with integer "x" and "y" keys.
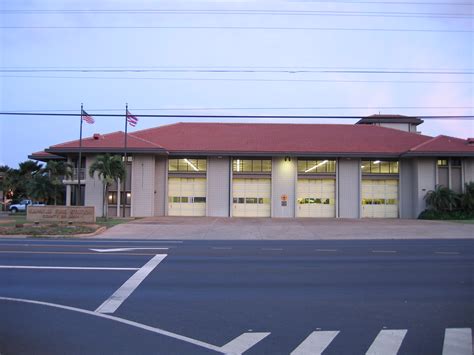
{"x": 316, "y": 198}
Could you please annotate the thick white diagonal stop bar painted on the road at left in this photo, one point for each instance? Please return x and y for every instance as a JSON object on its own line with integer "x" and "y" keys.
{"x": 119, "y": 296}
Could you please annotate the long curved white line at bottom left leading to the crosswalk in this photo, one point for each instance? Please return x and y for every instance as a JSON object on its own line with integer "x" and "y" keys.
{"x": 120, "y": 320}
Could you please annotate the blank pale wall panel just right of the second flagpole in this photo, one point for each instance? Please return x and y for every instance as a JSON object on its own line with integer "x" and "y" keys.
{"x": 143, "y": 185}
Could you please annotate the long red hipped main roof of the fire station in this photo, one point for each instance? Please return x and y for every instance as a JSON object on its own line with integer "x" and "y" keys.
{"x": 245, "y": 138}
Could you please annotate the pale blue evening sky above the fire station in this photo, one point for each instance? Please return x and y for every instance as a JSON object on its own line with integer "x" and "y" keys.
{"x": 350, "y": 58}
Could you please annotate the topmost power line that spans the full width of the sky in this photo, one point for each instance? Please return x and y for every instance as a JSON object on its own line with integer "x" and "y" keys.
{"x": 242, "y": 12}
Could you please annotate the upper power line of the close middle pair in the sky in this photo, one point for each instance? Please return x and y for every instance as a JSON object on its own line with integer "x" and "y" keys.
{"x": 289, "y": 71}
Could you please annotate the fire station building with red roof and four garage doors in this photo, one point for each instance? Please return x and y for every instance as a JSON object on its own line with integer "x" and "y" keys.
{"x": 380, "y": 167}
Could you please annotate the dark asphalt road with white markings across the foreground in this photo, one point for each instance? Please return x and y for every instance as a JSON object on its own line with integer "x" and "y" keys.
{"x": 206, "y": 297}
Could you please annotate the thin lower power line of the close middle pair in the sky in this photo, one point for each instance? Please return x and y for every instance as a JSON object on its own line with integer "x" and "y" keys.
{"x": 240, "y": 79}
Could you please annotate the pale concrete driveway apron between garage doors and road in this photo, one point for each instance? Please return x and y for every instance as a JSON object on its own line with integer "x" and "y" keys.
{"x": 202, "y": 228}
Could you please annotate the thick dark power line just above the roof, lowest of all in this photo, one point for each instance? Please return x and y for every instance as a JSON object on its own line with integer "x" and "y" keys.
{"x": 450, "y": 117}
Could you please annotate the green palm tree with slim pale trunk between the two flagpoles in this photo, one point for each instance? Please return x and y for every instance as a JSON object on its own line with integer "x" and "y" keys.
{"x": 109, "y": 169}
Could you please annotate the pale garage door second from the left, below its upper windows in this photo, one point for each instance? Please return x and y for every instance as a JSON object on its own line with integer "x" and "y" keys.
{"x": 251, "y": 197}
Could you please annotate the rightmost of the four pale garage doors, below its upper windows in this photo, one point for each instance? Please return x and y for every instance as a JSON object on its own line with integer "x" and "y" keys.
{"x": 380, "y": 198}
